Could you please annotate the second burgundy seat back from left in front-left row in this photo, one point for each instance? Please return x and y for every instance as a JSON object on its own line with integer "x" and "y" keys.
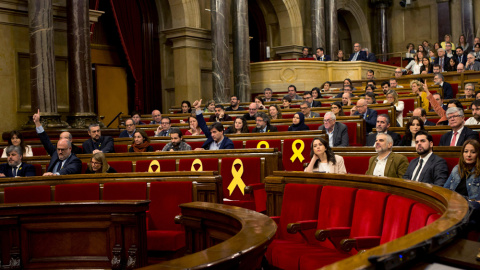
{"x": 77, "y": 192}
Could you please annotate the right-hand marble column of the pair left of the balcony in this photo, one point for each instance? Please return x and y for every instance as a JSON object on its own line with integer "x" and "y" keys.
{"x": 241, "y": 49}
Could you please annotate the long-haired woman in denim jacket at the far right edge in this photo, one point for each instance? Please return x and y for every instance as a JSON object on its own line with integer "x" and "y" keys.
{"x": 465, "y": 177}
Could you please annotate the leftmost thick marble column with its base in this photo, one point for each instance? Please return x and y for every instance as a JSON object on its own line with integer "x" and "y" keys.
{"x": 42, "y": 63}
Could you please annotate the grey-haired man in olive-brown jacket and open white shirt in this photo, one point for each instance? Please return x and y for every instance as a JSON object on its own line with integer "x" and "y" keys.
{"x": 386, "y": 163}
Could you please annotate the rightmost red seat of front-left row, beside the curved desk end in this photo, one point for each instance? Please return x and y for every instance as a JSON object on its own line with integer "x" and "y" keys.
{"x": 163, "y": 234}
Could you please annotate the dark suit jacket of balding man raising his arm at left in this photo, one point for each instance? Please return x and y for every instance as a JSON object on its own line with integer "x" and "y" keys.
{"x": 72, "y": 165}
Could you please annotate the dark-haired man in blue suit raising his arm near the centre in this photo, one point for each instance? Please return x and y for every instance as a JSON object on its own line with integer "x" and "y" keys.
{"x": 215, "y": 138}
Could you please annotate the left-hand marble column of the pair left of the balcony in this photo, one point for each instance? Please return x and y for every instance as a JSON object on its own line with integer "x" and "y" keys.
{"x": 220, "y": 51}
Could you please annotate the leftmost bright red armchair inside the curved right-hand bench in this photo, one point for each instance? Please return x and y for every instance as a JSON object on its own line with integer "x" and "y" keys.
{"x": 300, "y": 202}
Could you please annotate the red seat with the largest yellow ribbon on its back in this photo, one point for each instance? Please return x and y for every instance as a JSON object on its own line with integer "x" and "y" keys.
{"x": 250, "y": 173}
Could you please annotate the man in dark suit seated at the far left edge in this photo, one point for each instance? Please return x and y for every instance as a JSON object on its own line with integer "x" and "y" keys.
{"x": 14, "y": 166}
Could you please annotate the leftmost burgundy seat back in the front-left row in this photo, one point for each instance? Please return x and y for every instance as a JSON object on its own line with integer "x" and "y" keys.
{"x": 27, "y": 194}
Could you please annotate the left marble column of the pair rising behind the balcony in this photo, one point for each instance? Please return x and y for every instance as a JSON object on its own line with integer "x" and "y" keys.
{"x": 318, "y": 24}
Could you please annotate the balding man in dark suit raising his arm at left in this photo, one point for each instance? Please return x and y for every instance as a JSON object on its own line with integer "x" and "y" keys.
{"x": 62, "y": 161}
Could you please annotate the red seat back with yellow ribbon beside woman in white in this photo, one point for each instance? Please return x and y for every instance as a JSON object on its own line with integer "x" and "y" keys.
{"x": 291, "y": 161}
